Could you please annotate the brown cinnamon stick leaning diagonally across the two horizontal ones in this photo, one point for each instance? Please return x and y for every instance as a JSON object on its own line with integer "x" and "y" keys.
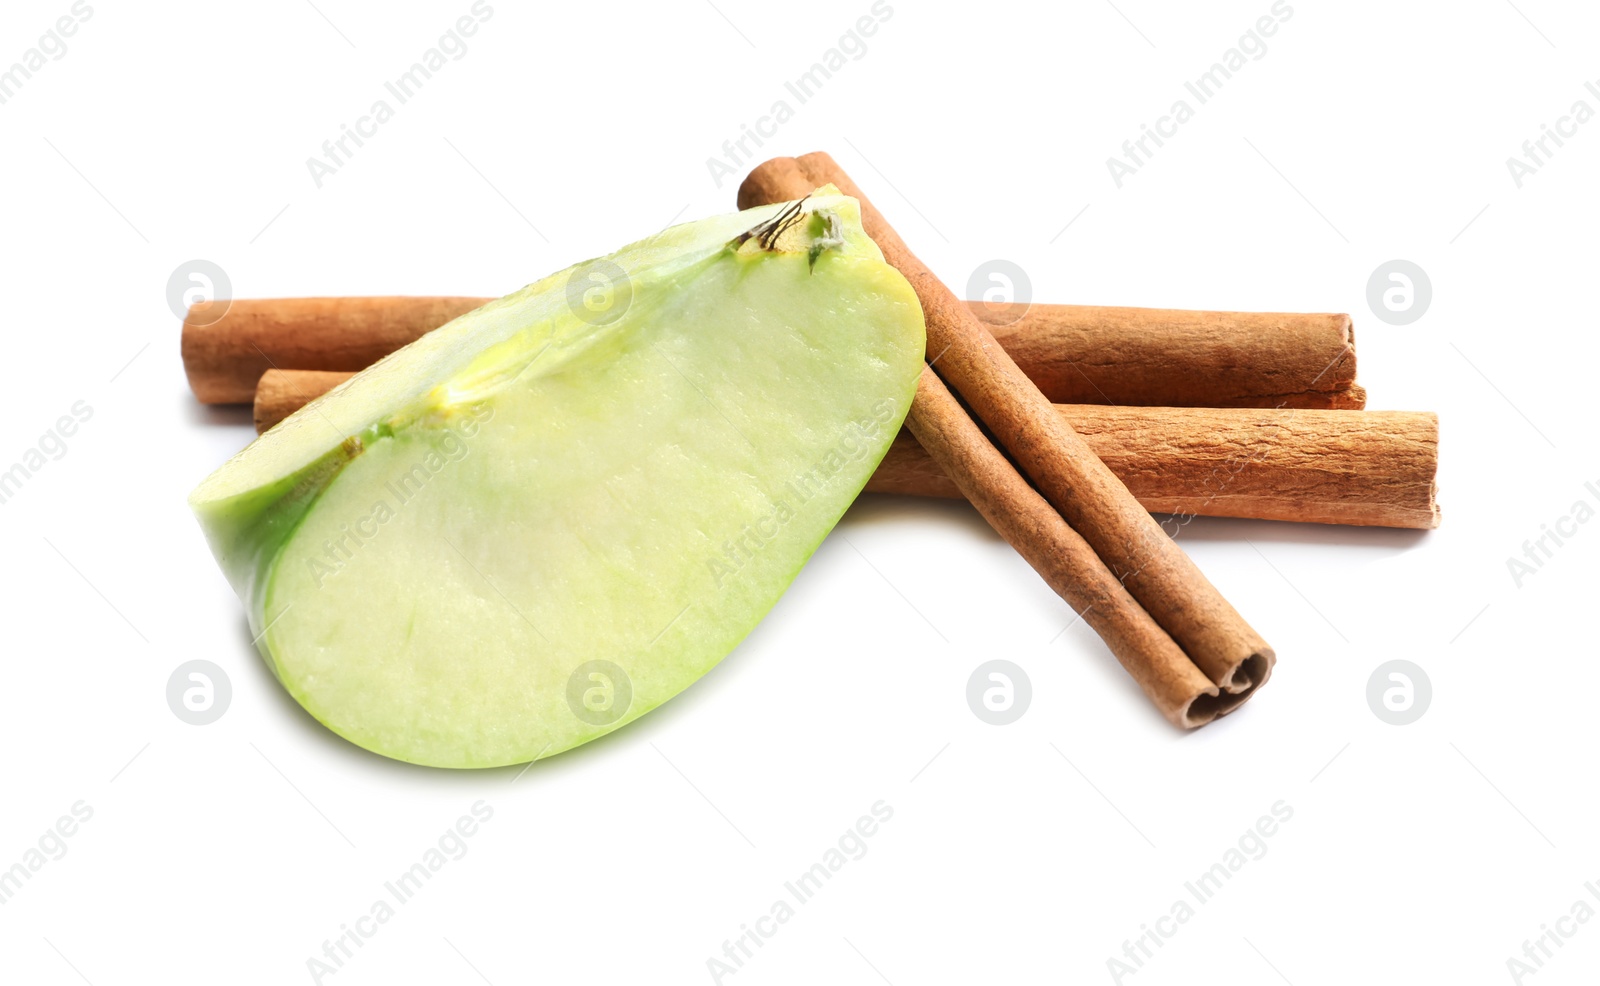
{"x": 1162, "y": 582}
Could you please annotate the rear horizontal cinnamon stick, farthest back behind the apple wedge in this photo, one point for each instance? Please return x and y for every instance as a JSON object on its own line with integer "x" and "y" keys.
{"x": 1076, "y": 355}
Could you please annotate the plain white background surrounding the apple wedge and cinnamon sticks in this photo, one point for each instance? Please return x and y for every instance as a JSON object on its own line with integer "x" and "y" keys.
{"x": 1369, "y": 132}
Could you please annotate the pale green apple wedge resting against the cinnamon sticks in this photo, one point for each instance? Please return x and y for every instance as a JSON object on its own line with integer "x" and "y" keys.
{"x": 556, "y": 513}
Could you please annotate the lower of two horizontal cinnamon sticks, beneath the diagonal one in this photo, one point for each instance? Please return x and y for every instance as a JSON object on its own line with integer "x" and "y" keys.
{"x": 1369, "y": 470}
